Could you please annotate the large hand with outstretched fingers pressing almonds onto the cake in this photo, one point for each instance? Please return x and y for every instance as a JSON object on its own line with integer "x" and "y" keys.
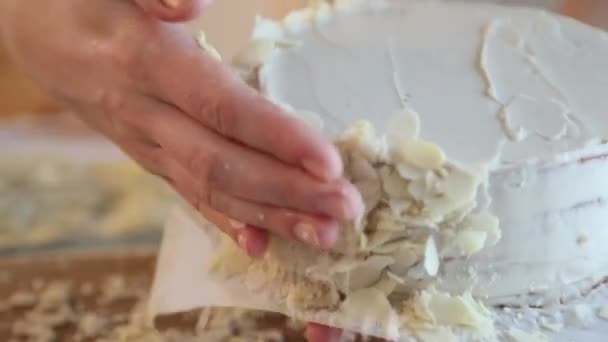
{"x": 182, "y": 115}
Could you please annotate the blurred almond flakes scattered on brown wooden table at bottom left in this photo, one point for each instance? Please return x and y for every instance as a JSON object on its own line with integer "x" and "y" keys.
{"x": 54, "y": 306}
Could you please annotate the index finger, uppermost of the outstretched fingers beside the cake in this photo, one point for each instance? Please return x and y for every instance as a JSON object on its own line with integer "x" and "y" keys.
{"x": 214, "y": 95}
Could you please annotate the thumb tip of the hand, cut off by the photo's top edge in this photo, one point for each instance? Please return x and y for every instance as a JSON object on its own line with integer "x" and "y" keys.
{"x": 173, "y": 10}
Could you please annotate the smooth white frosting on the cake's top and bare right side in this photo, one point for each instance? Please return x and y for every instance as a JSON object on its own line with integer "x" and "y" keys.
{"x": 518, "y": 91}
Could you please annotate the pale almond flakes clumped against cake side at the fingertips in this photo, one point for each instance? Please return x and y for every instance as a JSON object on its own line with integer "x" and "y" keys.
{"x": 420, "y": 209}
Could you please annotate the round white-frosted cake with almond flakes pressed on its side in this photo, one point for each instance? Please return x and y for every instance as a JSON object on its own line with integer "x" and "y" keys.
{"x": 477, "y": 136}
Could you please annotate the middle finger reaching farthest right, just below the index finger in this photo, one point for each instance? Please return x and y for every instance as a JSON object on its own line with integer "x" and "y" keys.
{"x": 222, "y": 166}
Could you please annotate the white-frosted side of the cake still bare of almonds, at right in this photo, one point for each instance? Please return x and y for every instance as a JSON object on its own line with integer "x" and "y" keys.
{"x": 553, "y": 220}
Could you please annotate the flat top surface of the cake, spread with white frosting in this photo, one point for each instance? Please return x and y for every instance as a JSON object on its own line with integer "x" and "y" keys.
{"x": 490, "y": 83}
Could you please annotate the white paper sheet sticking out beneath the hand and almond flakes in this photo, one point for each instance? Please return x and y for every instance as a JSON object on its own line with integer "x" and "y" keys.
{"x": 182, "y": 281}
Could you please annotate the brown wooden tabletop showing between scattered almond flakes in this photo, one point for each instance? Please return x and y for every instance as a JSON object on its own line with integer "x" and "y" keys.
{"x": 90, "y": 274}
